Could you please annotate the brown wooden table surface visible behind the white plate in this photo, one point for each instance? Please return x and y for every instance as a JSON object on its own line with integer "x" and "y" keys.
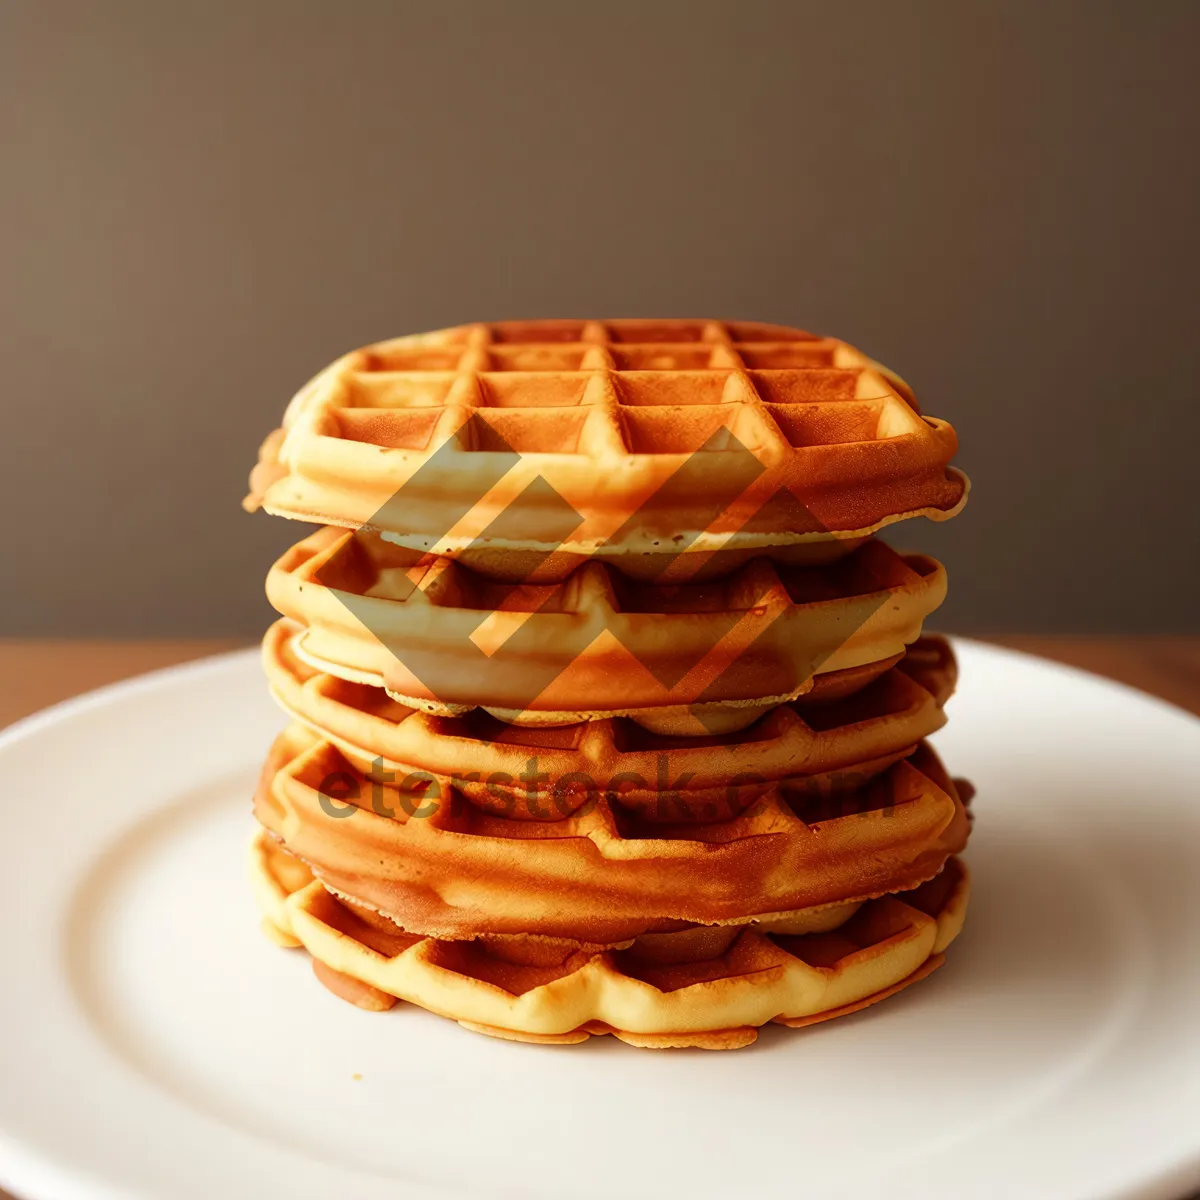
{"x": 37, "y": 674}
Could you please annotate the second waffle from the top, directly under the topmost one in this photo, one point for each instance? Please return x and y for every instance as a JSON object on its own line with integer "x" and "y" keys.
{"x": 441, "y": 638}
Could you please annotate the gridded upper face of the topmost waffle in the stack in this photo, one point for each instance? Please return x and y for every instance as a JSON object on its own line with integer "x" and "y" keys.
{"x": 607, "y": 386}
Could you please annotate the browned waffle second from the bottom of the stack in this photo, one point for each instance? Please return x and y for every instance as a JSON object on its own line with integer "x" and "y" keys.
{"x": 421, "y": 853}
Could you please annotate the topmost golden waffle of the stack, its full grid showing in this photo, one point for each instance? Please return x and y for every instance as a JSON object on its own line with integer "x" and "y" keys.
{"x": 532, "y": 446}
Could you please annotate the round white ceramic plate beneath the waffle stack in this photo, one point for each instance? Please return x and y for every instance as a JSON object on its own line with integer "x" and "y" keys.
{"x": 154, "y": 1045}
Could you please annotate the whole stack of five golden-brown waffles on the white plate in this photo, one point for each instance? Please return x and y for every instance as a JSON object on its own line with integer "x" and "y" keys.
{"x": 608, "y": 710}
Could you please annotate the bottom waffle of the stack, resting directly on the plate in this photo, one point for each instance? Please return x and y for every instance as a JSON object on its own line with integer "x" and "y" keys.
{"x": 695, "y": 988}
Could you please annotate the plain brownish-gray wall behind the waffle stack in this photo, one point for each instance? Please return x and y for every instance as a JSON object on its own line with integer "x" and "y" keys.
{"x": 205, "y": 203}
